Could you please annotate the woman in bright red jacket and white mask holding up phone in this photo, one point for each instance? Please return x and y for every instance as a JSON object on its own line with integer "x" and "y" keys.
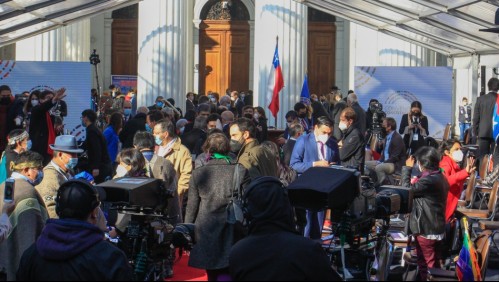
{"x": 451, "y": 157}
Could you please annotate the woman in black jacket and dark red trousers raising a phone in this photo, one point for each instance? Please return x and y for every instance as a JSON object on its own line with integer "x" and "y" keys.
{"x": 427, "y": 219}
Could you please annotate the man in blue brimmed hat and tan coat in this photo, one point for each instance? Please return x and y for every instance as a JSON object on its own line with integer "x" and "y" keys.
{"x": 59, "y": 170}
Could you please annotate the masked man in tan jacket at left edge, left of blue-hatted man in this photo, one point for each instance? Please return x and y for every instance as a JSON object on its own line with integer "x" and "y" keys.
{"x": 29, "y": 215}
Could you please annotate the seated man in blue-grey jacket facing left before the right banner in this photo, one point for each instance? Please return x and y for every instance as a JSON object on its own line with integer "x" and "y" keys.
{"x": 392, "y": 154}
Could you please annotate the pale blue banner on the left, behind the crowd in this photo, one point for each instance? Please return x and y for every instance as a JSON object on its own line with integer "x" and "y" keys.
{"x": 74, "y": 76}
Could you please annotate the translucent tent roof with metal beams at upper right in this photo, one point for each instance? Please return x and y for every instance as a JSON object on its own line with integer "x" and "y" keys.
{"x": 450, "y": 27}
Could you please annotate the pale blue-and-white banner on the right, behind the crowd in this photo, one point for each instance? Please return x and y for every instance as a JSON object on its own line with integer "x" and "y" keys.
{"x": 397, "y": 87}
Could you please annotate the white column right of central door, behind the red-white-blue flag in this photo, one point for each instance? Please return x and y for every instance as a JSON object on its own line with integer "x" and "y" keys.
{"x": 288, "y": 20}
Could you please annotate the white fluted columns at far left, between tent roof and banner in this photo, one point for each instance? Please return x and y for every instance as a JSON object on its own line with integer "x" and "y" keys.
{"x": 69, "y": 43}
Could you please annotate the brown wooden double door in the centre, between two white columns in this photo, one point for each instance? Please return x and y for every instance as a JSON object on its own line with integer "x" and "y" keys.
{"x": 224, "y": 52}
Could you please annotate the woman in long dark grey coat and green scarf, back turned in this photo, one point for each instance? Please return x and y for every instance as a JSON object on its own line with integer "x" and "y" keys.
{"x": 211, "y": 188}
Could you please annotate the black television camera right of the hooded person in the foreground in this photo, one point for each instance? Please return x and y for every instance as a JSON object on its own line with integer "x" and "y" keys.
{"x": 355, "y": 208}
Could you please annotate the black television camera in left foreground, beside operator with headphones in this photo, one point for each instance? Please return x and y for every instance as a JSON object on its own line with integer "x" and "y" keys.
{"x": 136, "y": 206}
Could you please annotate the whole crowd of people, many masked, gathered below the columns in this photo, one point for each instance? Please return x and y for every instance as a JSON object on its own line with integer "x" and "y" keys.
{"x": 218, "y": 147}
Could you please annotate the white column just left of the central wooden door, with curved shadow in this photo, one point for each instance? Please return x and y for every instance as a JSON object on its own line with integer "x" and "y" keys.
{"x": 163, "y": 50}
